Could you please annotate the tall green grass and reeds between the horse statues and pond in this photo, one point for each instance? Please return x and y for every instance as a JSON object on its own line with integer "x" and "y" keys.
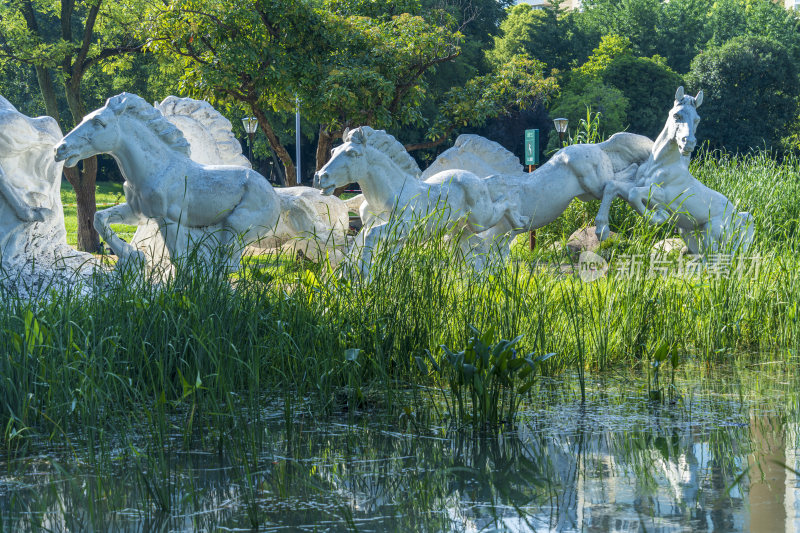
{"x": 138, "y": 351}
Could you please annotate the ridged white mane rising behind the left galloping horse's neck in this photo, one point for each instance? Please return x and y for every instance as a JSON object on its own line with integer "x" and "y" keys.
{"x": 207, "y": 131}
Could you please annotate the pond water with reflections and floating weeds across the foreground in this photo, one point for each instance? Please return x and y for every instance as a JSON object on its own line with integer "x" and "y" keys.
{"x": 720, "y": 458}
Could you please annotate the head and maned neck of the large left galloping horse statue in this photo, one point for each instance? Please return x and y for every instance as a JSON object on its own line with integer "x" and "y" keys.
{"x": 103, "y": 131}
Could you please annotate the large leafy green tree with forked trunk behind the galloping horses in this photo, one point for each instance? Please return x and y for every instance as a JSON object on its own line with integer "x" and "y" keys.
{"x": 347, "y": 69}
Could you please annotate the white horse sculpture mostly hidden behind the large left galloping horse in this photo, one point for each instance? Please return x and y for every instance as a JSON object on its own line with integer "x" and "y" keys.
{"x": 309, "y": 222}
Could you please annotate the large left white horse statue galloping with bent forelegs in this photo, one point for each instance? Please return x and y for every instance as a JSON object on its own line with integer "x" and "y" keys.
{"x": 164, "y": 184}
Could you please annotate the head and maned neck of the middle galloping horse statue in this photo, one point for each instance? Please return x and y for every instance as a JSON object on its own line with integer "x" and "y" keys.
{"x": 365, "y": 152}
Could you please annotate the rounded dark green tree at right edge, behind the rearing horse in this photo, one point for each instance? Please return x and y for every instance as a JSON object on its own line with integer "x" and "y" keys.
{"x": 750, "y": 86}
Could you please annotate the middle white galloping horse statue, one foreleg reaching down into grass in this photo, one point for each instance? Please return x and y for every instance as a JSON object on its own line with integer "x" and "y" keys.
{"x": 388, "y": 178}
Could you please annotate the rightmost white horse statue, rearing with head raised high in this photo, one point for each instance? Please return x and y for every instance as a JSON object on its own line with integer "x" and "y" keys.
{"x": 705, "y": 218}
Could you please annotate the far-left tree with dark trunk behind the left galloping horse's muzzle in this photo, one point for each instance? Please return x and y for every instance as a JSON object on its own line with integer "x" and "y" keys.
{"x": 63, "y": 41}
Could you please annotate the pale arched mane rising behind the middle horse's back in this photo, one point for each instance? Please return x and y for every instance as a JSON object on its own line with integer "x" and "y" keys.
{"x": 475, "y": 154}
